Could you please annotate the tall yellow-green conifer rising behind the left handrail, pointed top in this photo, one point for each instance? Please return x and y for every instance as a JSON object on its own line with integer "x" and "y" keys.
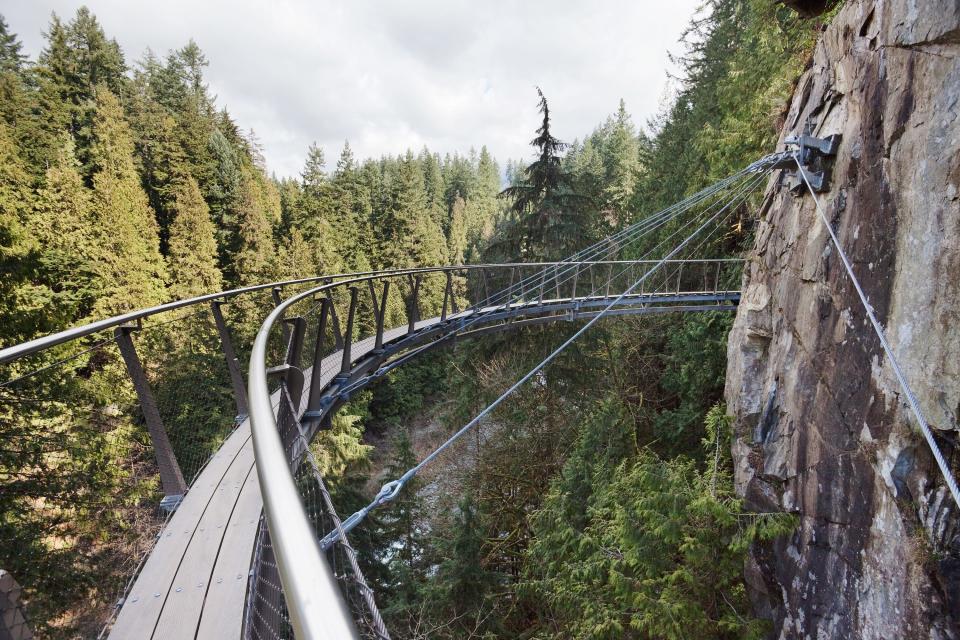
{"x": 132, "y": 267}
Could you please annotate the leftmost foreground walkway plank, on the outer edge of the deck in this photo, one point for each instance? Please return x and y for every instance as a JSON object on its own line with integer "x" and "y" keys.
{"x": 144, "y": 603}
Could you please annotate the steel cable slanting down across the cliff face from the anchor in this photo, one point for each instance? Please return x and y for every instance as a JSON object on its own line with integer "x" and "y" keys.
{"x": 881, "y": 335}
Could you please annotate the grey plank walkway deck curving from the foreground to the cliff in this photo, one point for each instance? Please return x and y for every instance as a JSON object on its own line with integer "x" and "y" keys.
{"x": 194, "y": 582}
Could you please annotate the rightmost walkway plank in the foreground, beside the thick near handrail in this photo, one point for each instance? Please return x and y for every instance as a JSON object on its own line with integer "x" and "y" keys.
{"x": 224, "y": 606}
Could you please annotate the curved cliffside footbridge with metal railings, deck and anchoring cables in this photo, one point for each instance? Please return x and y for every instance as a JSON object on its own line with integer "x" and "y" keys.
{"x": 249, "y": 542}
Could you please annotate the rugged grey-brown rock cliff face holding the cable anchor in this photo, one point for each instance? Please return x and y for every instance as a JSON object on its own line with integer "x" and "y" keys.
{"x": 822, "y": 429}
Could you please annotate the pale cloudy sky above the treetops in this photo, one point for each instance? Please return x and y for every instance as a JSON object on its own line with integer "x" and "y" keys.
{"x": 392, "y": 75}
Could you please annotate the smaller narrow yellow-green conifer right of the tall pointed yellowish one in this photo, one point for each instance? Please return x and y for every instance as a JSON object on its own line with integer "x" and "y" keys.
{"x": 192, "y": 258}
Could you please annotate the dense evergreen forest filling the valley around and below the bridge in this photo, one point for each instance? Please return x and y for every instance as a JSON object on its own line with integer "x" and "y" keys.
{"x": 124, "y": 184}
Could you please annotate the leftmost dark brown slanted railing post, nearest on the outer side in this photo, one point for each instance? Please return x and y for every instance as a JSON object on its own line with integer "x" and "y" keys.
{"x": 171, "y": 478}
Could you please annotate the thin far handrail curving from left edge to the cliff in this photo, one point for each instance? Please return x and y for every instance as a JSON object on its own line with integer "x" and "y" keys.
{"x": 18, "y": 351}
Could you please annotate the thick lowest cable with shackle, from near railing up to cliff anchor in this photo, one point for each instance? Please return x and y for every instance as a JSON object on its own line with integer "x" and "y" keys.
{"x": 391, "y": 489}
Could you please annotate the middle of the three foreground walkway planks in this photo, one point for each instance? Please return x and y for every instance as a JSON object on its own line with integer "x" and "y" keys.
{"x": 187, "y": 591}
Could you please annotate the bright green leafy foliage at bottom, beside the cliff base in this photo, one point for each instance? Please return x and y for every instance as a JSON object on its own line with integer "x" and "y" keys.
{"x": 656, "y": 551}
